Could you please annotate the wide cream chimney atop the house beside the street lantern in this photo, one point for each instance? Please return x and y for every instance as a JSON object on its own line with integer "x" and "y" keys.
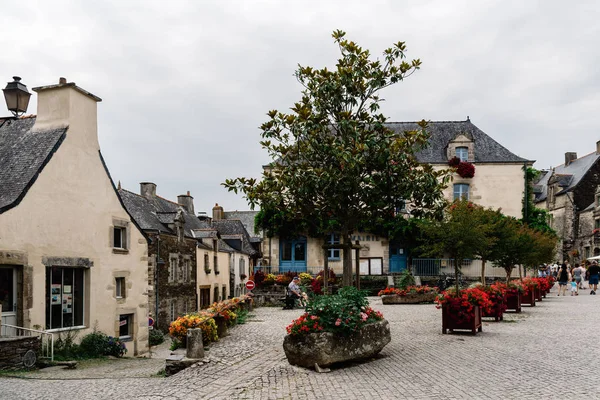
{"x": 67, "y": 105}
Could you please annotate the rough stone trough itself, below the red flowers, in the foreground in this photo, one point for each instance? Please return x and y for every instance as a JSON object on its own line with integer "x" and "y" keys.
{"x": 328, "y": 348}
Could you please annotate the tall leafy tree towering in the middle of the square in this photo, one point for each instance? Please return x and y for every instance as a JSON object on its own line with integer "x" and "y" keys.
{"x": 336, "y": 165}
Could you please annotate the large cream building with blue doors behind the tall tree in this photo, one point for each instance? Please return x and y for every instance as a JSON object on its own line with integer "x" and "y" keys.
{"x": 499, "y": 182}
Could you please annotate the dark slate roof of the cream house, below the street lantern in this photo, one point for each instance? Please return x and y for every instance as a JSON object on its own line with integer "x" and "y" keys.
{"x": 23, "y": 155}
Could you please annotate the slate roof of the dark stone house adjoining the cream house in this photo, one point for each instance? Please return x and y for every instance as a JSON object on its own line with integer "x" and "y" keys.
{"x": 157, "y": 213}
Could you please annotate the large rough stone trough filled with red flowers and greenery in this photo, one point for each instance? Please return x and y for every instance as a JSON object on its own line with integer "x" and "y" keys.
{"x": 336, "y": 328}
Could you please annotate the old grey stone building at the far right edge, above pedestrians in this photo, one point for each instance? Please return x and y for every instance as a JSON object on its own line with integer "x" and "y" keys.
{"x": 569, "y": 192}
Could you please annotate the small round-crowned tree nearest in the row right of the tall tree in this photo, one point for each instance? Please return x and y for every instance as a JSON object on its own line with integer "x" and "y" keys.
{"x": 460, "y": 234}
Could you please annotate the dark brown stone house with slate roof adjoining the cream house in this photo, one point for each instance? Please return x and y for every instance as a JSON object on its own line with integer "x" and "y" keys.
{"x": 172, "y": 266}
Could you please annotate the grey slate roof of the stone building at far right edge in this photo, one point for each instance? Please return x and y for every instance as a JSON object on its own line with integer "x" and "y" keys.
{"x": 569, "y": 176}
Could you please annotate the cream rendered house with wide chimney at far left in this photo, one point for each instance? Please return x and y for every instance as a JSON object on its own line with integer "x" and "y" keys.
{"x": 71, "y": 256}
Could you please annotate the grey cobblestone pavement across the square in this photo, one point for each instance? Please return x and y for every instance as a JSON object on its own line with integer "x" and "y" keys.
{"x": 548, "y": 351}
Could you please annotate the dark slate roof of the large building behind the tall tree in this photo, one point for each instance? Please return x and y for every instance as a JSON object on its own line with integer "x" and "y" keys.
{"x": 486, "y": 149}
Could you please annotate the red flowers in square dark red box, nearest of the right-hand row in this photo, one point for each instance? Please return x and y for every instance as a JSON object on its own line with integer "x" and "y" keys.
{"x": 462, "y": 311}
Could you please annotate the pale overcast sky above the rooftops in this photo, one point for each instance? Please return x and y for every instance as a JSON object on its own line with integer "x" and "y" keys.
{"x": 186, "y": 84}
